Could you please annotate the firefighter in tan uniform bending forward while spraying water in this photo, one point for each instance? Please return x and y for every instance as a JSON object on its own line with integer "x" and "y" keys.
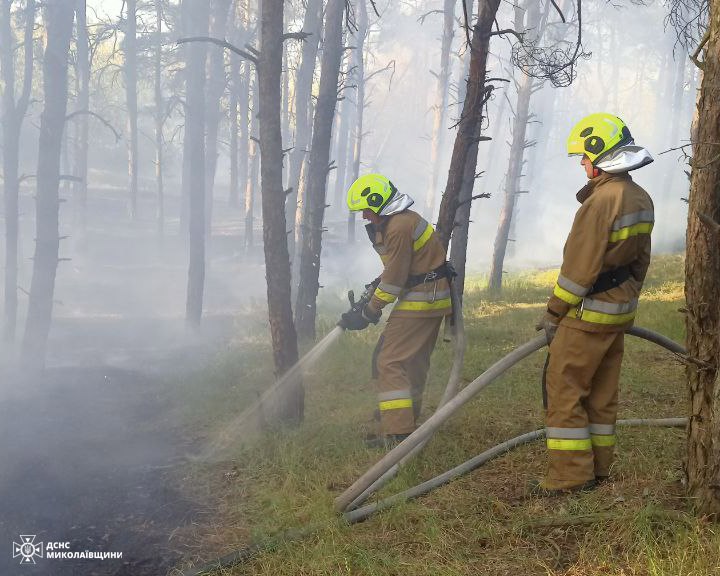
{"x": 416, "y": 279}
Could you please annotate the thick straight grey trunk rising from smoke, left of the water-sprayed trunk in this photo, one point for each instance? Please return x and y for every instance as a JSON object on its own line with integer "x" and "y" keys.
{"x": 194, "y": 159}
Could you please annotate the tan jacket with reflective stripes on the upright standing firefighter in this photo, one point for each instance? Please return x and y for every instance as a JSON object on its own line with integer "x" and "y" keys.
{"x": 611, "y": 229}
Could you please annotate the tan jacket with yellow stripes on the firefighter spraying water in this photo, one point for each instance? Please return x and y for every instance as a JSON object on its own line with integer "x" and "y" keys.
{"x": 408, "y": 245}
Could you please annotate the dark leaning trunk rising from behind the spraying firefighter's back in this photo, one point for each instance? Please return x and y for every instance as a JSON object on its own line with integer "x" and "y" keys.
{"x": 469, "y": 126}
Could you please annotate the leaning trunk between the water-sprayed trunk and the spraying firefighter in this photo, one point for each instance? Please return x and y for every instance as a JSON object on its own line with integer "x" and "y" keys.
{"x": 305, "y": 307}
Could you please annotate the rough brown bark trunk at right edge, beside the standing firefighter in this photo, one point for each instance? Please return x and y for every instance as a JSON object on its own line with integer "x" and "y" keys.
{"x": 702, "y": 287}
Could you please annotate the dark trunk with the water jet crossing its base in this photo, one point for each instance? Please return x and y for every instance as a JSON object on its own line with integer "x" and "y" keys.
{"x": 277, "y": 260}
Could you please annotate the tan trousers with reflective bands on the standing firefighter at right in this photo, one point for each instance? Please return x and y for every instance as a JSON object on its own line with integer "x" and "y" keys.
{"x": 582, "y": 380}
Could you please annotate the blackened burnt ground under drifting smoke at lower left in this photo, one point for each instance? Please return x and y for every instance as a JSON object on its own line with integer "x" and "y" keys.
{"x": 91, "y": 454}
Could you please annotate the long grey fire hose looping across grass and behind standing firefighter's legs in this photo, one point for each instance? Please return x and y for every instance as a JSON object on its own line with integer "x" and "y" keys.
{"x": 419, "y": 437}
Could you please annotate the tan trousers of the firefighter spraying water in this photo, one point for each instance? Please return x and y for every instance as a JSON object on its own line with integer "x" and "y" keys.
{"x": 400, "y": 364}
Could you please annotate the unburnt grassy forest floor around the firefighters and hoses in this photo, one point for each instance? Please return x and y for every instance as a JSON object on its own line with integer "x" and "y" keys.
{"x": 638, "y": 523}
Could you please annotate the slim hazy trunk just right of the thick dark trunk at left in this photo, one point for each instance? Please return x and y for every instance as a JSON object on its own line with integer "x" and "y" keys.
{"x": 82, "y": 120}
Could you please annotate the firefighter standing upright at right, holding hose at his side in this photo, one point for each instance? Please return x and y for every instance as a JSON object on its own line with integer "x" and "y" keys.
{"x": 605, "y": 260}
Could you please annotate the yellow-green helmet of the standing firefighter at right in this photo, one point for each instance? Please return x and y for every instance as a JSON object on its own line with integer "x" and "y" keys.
{"x": 596, "y": 135}
